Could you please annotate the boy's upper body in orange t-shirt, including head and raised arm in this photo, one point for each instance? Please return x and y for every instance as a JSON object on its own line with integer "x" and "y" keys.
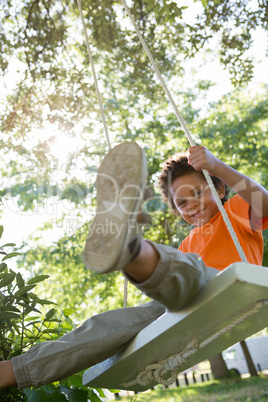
{"x": 247, "y": 210}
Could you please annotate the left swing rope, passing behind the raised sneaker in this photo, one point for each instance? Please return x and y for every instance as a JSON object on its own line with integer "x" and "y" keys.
{"x": 100, "y": 106}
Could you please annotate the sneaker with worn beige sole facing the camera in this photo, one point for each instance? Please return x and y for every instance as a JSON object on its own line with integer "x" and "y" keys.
{"x": 114, "y": 236}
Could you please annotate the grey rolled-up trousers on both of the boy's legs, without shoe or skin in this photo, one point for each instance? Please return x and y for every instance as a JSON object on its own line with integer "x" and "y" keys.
{"x": 176, "y": 280}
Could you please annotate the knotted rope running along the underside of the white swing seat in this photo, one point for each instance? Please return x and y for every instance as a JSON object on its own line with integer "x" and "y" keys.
{"x": 157, "y": 372}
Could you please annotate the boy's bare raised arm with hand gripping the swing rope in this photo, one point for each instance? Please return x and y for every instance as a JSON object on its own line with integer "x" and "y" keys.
{"x": 251, "y": 191}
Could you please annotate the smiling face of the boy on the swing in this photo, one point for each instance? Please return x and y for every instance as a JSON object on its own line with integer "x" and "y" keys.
{"x": 194, "y": 199}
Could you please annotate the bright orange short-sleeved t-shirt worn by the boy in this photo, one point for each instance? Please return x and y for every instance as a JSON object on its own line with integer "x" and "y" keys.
{"x": 213, "y": 241}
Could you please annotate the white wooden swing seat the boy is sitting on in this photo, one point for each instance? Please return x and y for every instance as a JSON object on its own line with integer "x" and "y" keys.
{"x": 229, "y": 308}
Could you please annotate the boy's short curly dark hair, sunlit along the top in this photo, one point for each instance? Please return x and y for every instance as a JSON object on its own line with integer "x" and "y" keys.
{"x": 177, "y": 166}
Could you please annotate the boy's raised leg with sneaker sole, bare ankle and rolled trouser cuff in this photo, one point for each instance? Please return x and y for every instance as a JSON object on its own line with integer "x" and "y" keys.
{"x": 115, "y": 240}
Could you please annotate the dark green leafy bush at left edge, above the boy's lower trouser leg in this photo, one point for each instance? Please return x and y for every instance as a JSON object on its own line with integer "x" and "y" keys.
{"x": 21, "y": 323}
